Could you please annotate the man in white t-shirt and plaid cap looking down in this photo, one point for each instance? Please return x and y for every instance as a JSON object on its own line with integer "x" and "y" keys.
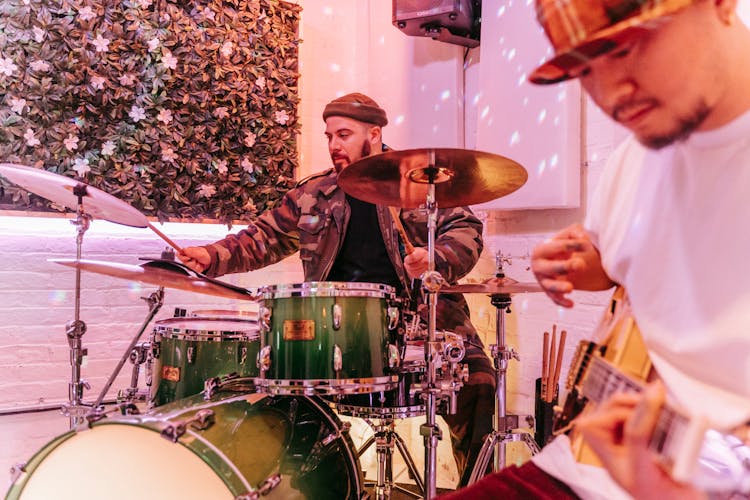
{"x": 670, "y": 220}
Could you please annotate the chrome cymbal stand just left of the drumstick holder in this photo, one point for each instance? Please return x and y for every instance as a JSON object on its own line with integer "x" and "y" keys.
{"x": 505, "y": 425}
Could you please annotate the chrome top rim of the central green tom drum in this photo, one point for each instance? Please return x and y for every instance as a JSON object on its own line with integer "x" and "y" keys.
{"x": 327, "y": 289}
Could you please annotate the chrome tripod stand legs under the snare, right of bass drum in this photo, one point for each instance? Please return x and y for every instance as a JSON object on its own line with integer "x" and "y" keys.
{"x": 384, "y": 439}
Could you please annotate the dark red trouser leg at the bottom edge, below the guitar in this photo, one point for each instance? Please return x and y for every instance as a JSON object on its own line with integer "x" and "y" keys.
{"x": 522, "y": 483}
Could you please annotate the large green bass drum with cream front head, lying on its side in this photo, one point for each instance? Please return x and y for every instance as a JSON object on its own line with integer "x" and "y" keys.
{"x": 231, "y": 445}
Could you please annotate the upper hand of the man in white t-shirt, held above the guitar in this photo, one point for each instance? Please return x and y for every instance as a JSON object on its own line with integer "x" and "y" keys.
{"x": 569, "y": 261}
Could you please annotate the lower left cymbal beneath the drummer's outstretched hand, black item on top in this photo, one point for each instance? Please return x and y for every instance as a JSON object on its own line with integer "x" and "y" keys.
{"x": 164, "y": 273}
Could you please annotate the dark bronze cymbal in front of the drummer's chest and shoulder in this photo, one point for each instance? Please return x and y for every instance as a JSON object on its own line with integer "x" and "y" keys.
{"x": 461, "y": 177}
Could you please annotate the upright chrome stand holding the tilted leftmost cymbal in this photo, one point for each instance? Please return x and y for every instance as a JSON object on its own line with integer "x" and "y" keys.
{"x": 75, "y": 329}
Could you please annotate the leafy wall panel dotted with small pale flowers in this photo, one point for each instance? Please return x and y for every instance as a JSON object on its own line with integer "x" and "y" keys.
{"x": 184, "y": 110}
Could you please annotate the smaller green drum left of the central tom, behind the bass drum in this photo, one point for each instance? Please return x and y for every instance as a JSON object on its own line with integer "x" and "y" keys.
{"x": 187, "y": 351}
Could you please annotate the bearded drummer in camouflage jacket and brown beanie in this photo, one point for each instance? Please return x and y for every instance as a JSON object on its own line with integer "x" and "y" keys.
{"x": 336, "y": 237}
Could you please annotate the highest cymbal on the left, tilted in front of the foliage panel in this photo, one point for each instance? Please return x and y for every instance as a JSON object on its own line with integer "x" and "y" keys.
{"x": 59, "y": 189}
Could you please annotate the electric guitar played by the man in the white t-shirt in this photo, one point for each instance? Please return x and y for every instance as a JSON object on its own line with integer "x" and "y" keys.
{"x": 617, "y": 361}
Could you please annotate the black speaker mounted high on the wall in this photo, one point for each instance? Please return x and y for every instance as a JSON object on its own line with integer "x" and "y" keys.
{"x": 451, "y": 21}
